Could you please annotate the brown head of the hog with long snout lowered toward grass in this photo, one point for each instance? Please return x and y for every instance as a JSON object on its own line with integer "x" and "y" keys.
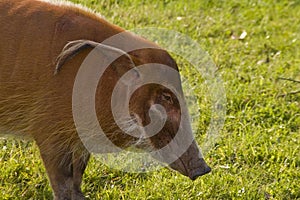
{"x": 163, "y": 105}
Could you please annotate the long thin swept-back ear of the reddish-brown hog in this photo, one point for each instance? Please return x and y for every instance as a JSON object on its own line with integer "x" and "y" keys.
{"x": 75, "y": 47}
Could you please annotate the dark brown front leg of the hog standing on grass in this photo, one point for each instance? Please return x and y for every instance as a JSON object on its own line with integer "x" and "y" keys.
{"x": 65, "y": 166}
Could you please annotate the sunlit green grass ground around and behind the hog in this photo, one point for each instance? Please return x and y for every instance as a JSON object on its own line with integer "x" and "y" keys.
{"x": 258, "y": 156}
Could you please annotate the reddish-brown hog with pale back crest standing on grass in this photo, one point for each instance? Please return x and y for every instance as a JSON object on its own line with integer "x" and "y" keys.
{"x": 43, "y": 45}
